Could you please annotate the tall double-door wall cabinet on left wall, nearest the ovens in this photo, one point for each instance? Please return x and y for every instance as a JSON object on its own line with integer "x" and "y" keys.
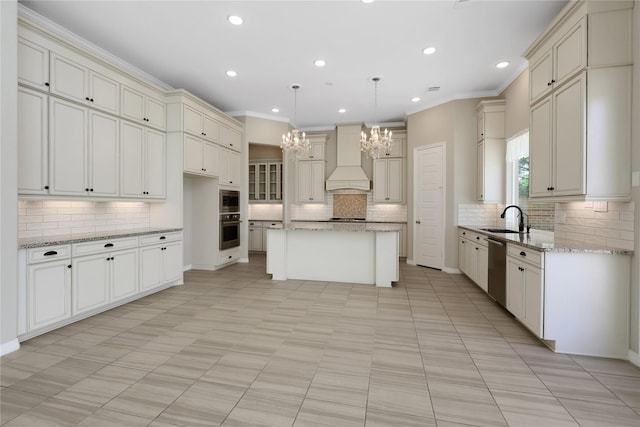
{"x": 142, "y": 162}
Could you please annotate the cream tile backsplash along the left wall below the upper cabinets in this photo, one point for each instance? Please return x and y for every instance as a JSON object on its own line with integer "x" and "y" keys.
{"x": 41, "y": 218}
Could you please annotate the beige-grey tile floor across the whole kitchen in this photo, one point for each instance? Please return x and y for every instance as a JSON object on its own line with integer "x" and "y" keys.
{"x": 234, "y": 348}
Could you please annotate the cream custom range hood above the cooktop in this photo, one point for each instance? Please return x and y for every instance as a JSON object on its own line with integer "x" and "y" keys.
{"x": 348, "y": 174}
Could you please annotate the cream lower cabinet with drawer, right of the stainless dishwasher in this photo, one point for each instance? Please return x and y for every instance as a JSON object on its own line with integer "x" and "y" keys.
{"x": 525, "y": 287}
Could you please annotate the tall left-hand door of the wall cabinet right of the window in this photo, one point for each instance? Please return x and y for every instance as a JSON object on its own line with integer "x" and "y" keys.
{"x": 540, "y": 142}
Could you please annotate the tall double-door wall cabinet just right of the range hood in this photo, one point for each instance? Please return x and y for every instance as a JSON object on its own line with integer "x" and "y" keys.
{"x": 388, "y": 180}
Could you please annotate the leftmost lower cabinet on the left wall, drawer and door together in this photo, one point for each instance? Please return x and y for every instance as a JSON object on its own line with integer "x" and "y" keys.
{"x": 48, "y": 286}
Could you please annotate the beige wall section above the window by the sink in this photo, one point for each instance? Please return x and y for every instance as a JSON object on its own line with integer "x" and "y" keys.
{"x": 516, "y": 96}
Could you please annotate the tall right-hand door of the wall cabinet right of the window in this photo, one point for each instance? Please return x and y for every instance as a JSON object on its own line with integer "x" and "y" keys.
{"x": 569, "y": 105}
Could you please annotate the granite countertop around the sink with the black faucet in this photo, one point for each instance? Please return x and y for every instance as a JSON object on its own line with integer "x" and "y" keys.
{"x": 545, "y": 241}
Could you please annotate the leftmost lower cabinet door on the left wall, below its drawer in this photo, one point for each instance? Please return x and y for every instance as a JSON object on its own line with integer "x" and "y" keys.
{"x": 48, "y": 293}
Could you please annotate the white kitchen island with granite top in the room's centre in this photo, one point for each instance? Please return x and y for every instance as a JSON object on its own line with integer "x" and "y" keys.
{"x": 364, "y": 253}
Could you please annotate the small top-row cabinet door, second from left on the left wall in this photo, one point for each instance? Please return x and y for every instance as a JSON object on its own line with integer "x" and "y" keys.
{"x": 68, "y": 78}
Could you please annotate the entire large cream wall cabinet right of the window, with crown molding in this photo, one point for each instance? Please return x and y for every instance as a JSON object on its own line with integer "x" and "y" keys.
{"x": 580, "y": 116}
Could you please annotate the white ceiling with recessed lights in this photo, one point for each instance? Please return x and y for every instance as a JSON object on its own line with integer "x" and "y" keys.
{"x": 190, "y": 44}
